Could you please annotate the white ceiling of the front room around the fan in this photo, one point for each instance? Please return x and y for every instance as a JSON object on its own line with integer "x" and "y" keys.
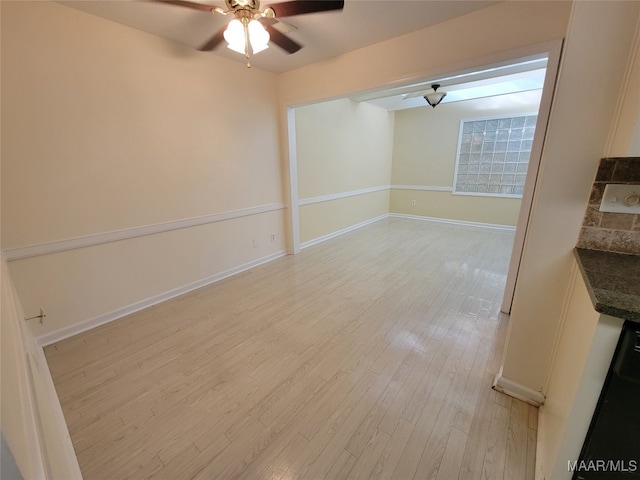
{"x": 323, "y": 35}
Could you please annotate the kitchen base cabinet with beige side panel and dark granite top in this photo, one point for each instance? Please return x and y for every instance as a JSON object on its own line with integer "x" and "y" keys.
{"x": 604, "y": 292}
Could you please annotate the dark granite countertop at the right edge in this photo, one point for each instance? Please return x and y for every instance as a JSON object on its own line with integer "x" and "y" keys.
{"x": 613, "y": 282}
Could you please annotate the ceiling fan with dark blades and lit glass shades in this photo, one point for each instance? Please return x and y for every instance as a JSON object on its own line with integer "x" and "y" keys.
{"x": 252, "y": 29}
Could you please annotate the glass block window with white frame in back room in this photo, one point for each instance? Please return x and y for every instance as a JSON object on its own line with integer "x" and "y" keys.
{"x": 493, "y": 155}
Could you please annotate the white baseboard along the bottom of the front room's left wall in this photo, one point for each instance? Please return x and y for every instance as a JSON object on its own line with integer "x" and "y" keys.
{"x": 61, "y": 334}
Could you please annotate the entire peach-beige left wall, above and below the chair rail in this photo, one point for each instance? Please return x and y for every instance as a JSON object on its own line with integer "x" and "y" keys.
{"x": 107, "y": 129}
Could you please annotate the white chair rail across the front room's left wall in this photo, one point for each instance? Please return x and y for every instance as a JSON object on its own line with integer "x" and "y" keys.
{"x": 101, "y": 238}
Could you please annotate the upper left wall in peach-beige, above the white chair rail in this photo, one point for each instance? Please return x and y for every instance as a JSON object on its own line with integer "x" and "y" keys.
{"x": 108, "y": 128}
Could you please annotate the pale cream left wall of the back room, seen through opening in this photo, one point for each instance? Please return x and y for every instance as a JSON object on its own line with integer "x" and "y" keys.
{"x": 343, "y": 147}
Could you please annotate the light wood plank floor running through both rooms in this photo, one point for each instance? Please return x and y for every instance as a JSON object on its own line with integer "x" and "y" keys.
{"x": 368, "y": 356}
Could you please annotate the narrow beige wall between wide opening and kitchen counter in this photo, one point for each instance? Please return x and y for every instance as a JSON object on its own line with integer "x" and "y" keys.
{"x": 596, "y": 57}
